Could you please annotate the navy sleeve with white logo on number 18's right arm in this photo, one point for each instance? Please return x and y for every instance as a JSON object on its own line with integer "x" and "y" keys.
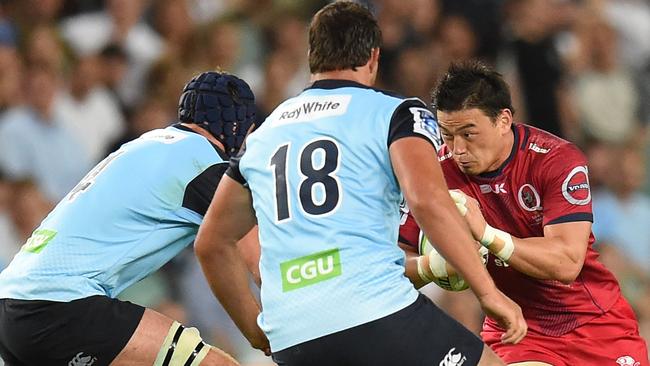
{"x": 413, "y": 118}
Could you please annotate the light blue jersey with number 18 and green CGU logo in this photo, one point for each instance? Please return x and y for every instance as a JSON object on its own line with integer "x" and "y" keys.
{"x": 327, "y": 205}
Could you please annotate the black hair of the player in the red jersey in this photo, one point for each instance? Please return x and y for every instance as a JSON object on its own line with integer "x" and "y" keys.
{"x": 472, "y": 84}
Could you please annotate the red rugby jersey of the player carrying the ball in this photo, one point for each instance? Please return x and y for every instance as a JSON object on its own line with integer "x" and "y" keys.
{"x": 543, "y": 182}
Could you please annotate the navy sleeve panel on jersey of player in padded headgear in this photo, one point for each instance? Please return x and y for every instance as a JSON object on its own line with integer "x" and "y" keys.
{"x": 200, "y": 190}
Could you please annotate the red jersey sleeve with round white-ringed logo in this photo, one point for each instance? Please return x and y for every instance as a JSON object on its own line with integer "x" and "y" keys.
{"x": 566, "y": 195}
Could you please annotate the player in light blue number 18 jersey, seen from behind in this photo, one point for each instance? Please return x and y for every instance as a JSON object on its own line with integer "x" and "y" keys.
{"x": 323, "y": 178}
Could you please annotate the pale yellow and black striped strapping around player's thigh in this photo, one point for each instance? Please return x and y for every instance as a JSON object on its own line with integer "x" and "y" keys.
{"x": 182, "y": 346}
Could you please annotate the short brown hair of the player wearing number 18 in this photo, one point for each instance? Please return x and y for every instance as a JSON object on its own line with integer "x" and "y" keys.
{"x": 342, "y": 36}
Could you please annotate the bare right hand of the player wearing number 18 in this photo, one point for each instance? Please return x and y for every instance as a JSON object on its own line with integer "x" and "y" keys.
{"x": 506, "y": 313}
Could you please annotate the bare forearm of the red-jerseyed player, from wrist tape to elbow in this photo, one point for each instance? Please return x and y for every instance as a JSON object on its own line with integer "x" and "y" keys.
{"x": 546, "y": 259}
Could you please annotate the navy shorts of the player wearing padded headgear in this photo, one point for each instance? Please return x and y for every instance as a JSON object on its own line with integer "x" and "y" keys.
{"x": 88, "y": 331}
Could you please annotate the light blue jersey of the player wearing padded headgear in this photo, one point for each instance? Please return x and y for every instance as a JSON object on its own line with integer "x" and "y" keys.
{"x": 131, "y": 214}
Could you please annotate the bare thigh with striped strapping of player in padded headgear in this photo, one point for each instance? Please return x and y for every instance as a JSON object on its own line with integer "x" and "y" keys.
{"x": 160, "y": 341}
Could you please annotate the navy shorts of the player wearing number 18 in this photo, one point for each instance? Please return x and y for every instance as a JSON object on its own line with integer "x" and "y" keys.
{"x": 419, "y": 335}
